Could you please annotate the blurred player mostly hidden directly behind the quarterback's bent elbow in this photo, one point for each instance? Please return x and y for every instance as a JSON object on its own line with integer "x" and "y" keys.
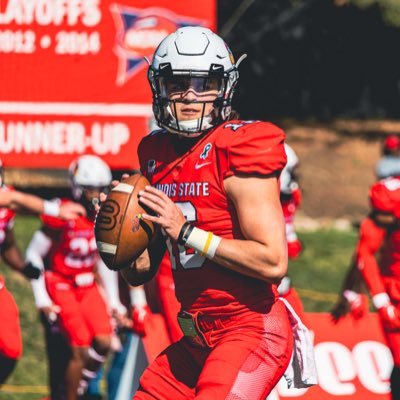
{"x": 290, "y": 195}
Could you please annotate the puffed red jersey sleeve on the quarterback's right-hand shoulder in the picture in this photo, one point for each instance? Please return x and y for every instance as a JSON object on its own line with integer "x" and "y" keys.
{"x": 250, "y": 148}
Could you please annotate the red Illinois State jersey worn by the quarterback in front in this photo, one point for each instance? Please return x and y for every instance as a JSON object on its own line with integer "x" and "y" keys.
{"x": 194, "y": 181}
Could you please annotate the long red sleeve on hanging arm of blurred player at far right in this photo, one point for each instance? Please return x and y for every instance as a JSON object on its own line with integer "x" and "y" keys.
{"x": 371, "y": 240}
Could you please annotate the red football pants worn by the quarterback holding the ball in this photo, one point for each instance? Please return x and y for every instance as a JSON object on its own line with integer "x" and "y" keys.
{"x": 250, "y": 355}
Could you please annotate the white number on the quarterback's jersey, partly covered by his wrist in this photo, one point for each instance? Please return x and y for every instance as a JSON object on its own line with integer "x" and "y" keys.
{"x": 179, "y": 255}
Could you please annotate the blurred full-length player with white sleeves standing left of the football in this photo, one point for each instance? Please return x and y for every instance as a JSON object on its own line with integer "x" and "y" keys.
{"x": 67, "y": 291}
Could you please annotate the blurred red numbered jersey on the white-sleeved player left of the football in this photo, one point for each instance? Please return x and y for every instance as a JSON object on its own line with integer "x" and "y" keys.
{"x": 73, "y": 250}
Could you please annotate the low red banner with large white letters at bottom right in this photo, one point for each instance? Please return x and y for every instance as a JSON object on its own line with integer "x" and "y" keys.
{"x": 353, "y": 361}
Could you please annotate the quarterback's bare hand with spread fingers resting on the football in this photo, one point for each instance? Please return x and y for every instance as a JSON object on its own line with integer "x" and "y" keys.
{"x": 168, "y": 215}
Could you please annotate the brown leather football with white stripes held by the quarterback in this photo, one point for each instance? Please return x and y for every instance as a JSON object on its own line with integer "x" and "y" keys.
{"x": 121, "y": 235}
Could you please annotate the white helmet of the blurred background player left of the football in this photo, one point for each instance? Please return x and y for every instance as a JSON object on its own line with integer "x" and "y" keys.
{"x": 88, "y": 172}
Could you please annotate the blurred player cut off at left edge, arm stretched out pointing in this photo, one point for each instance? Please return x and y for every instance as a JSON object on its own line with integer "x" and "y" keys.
{"x": 12, "y": 201}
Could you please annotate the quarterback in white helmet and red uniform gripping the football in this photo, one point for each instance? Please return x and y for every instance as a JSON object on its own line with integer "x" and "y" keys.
{"x": 215, "y": 194}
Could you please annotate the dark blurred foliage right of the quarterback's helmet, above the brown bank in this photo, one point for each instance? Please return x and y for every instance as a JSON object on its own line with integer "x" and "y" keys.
{"x": 315, "y": 58}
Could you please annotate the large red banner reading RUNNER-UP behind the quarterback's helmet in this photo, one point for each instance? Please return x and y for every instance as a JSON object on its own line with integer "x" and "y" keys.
{"x": 73, "y": 76}
